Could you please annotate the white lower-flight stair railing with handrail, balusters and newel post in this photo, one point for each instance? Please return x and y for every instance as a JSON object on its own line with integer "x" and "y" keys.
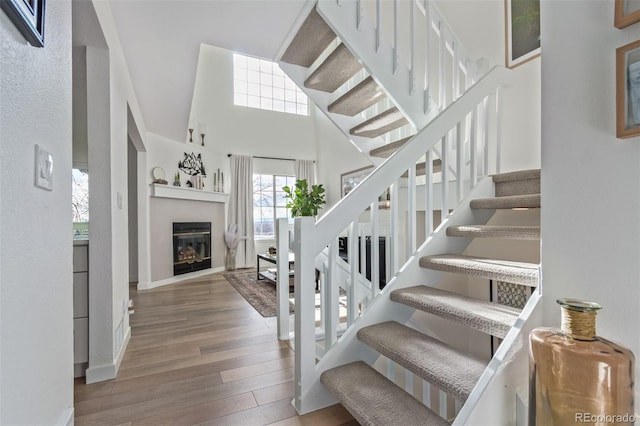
{"x": 467, "y": 117}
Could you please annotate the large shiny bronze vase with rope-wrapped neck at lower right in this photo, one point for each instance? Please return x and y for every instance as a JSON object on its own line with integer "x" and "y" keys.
{"x": 573, "y": 372}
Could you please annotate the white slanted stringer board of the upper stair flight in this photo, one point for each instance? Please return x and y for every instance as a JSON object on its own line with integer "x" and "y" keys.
{"x": 341, "y": 17}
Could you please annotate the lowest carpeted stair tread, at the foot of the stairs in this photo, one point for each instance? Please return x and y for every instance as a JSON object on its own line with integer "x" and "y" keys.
{"x": 374, "y": 400}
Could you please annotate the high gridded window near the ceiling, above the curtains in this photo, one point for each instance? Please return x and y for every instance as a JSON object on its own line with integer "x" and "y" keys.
{"x": 262, "y": 84}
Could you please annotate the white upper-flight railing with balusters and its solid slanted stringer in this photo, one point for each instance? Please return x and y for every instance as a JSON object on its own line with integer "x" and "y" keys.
{"x": 416, "y": 57}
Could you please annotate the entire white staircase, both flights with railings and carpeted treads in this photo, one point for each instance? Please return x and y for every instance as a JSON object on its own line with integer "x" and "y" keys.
{"x": 434, "y": 147}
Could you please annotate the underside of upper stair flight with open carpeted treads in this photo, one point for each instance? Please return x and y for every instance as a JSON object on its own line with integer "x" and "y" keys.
{"x": 338, "y": 83}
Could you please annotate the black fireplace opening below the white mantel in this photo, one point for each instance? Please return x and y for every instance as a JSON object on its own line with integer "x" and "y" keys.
{"x": 191, "y": 247}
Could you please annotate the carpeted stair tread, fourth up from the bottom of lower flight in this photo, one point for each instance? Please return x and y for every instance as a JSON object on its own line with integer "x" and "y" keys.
{"x": 493, "y": 269}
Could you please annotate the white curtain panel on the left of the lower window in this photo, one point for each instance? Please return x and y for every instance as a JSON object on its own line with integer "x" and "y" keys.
{"x": 241, "y": 208}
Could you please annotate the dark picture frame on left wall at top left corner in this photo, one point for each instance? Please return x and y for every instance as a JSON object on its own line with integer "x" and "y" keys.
{"x": 28, "y": 17}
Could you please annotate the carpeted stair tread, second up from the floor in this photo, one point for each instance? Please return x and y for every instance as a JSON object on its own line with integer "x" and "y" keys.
{"x": 455, "y": 372}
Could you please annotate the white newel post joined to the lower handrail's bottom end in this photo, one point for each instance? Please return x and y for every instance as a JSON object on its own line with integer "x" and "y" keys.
{"x": 304, "y": 308}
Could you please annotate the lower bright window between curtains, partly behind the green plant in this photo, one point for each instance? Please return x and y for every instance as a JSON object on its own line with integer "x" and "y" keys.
{"x": 269, "y": 203}
